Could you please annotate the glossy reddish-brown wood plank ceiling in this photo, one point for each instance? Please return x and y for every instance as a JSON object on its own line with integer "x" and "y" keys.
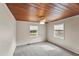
{"x": 40, "y": 11}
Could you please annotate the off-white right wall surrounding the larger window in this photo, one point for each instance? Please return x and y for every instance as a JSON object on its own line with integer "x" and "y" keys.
{"x": 71, "y": 41}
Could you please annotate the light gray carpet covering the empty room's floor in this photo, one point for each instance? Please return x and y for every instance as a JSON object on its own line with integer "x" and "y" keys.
{"x": 41, "y": 49}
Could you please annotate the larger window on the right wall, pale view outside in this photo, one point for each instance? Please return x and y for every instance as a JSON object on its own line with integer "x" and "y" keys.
{"x": 59, "y": 31}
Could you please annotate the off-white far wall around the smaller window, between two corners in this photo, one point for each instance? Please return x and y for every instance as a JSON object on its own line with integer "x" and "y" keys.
{"x": 23, "y": 36}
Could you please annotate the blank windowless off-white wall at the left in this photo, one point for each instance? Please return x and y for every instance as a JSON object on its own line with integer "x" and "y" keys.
{"x": 7, "y": 31}
